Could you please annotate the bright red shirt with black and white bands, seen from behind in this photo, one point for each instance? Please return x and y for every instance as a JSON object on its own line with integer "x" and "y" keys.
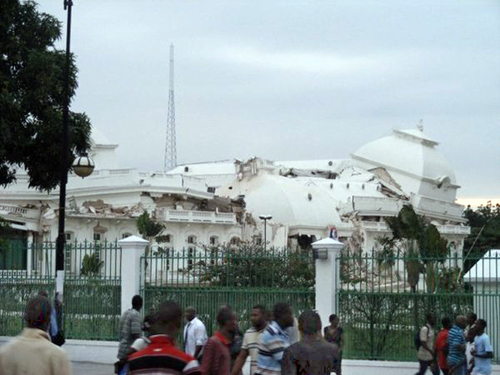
{"x": 160, "y": 356}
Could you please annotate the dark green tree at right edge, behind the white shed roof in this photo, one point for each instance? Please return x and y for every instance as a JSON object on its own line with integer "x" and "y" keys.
{"x": 485, "y": 232}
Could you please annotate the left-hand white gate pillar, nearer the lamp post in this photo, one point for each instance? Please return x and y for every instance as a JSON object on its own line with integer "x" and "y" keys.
{"x": 133, "y": 248}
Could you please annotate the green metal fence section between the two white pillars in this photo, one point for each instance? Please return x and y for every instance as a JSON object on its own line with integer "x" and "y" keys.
{"x": 210, "y": 277}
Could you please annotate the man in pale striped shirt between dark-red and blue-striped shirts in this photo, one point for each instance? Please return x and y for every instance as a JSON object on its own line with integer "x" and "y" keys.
{"x": 251, "y": 339}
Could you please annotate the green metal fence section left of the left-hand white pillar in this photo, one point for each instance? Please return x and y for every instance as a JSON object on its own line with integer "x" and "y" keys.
{"x": 91, "y": 308}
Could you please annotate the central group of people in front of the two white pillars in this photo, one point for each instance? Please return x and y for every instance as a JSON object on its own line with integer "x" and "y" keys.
{"x": 277, "y": 343}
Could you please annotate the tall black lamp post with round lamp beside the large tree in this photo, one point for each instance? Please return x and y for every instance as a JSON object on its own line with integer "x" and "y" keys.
{"x": 82, "y": 167}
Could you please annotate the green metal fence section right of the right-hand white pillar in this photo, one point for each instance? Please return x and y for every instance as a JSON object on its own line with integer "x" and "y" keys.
{"x": 384, "y": 298}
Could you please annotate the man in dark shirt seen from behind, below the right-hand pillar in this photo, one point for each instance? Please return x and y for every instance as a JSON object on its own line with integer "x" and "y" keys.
{"x": 312, "y": 354}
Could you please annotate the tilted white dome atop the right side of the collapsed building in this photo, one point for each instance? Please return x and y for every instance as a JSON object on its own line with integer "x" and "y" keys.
{"x": 408, "y": 151}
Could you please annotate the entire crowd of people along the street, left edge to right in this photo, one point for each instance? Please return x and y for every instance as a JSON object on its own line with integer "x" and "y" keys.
{"x": 276, "y": 343}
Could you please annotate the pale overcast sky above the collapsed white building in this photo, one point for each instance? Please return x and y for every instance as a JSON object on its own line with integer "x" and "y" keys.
{"x": 292, "y": 79}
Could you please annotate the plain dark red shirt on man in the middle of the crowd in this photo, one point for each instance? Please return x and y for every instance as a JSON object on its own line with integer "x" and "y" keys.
{"x": 216, "y": 356}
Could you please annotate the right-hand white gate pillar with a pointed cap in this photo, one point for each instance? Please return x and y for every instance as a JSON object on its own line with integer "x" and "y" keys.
{"x": 325, "y": 253}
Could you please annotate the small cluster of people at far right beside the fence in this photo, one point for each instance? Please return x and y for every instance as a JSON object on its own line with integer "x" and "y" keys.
{"x": 462, "y": 348}
